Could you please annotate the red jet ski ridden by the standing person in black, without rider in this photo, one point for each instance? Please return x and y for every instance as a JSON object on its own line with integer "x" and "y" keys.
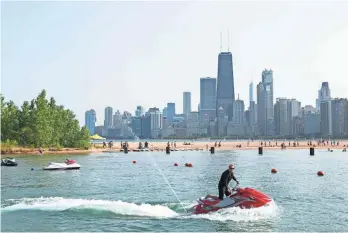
{"x": 244, "y": 198}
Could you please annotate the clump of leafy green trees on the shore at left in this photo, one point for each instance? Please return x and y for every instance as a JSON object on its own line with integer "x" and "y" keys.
{"x": 41, "y": 123}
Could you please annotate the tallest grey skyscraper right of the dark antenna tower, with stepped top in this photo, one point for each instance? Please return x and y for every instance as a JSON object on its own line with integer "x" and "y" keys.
{"x": 265, "y": 108}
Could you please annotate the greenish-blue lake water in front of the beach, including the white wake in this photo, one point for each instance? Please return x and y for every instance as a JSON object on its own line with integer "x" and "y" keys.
{"x": 110, "y": 193}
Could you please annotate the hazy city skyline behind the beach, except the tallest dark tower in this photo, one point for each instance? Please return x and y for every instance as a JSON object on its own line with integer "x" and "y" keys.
{"x": 285, "y": 118}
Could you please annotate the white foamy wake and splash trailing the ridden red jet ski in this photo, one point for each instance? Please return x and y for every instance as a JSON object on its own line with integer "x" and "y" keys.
{"x": 164, "y": 210}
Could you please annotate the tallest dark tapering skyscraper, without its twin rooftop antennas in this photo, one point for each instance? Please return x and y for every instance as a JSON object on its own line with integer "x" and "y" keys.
{"x": 225, "y": 84}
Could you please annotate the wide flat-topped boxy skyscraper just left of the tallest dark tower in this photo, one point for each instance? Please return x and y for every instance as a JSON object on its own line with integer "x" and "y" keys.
{"x": 207, "y": 106}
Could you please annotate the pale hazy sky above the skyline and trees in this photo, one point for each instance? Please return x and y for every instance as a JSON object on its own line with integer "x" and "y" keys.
{"x": 89, "y": 55}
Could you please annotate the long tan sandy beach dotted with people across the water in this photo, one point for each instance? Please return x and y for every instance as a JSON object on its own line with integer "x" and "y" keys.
{"x": 198, "y": 145}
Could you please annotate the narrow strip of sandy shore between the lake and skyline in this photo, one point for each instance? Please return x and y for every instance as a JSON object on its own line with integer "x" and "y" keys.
{"x": 161, "y": 146}
